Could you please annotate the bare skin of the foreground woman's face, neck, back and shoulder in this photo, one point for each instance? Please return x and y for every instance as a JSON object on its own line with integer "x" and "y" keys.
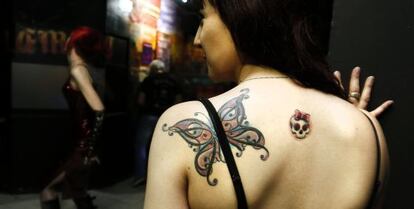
{"x": 333, "y": 167}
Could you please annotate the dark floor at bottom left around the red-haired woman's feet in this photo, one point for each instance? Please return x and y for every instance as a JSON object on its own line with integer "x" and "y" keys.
{"x": 118, "y": 196}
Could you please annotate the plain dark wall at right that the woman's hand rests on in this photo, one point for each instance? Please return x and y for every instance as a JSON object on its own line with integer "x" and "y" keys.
{"x": 378, "y": 35}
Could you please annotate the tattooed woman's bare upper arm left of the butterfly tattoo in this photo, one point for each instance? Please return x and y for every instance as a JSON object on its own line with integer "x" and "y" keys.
{"x": 167, "y": 176}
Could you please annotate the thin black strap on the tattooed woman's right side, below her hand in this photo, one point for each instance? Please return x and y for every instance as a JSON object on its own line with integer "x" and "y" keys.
{"x": 376, "y": 189}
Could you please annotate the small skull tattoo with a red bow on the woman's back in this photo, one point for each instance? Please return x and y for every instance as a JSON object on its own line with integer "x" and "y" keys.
{"x": 299, "y": 124}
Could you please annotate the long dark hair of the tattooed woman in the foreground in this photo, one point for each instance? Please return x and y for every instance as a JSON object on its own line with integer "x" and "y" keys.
{"x": 280, "y": 34}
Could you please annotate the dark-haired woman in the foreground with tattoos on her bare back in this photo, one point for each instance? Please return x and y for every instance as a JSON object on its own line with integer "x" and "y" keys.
{"x": 284, "y": 137}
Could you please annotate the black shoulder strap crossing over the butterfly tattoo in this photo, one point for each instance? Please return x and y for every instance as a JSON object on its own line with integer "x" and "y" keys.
{"x": 228, "y": 155}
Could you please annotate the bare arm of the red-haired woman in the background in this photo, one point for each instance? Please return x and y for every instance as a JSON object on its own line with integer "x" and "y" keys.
{"x": 82, "y": 79}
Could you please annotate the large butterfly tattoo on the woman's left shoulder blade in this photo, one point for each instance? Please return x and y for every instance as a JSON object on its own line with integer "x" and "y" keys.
{"x": 202, "y": 138}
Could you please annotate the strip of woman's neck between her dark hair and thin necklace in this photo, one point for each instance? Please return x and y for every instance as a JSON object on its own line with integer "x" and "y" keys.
{"x": 253, "y": 71}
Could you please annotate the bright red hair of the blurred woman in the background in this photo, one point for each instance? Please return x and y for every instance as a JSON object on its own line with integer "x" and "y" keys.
{"x": 90, "y": 44}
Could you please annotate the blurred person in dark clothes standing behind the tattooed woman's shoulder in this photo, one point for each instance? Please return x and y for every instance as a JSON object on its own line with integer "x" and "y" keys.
{"x": 159, "y": 91}
